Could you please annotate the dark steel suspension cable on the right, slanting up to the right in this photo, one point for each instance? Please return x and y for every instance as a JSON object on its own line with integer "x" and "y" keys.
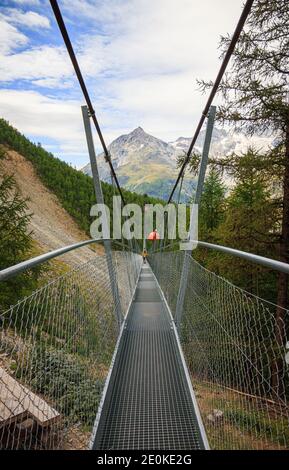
{"x": 234, "y": 40}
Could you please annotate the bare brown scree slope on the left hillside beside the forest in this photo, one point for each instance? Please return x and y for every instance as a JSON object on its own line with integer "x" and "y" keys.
{"x": 52, "y": 226}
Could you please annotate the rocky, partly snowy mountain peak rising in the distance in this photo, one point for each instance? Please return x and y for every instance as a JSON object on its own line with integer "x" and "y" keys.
{"x": 146, "y": 164}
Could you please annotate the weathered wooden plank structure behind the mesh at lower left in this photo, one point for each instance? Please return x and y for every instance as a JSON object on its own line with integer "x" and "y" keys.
{"x": 17, "y": 402}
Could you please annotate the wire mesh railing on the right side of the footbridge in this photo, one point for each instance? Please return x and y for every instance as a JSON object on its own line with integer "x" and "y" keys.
{"x": 238, "y": 368}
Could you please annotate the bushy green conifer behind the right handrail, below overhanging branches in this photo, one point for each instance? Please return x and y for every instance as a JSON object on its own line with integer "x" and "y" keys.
{"x": 251, "y": 223}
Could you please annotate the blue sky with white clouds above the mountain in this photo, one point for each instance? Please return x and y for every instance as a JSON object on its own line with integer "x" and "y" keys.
{"x": 140, "y": 60}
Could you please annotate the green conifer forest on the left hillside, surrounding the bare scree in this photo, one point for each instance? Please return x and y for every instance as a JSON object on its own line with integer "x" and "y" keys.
{"x": 74, "y": 191}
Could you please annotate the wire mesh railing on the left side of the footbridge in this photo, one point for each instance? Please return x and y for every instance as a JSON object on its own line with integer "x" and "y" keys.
{"x": 56, "y": 348}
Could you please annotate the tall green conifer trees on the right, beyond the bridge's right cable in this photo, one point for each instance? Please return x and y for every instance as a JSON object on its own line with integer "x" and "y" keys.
{"x": 254, "y": 97}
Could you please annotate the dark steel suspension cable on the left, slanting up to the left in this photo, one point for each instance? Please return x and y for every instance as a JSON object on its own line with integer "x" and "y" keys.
{"x": 69, "y": 47}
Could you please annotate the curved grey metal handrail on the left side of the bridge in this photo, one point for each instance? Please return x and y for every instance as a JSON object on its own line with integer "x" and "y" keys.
{"x": 12, "y": 271}
